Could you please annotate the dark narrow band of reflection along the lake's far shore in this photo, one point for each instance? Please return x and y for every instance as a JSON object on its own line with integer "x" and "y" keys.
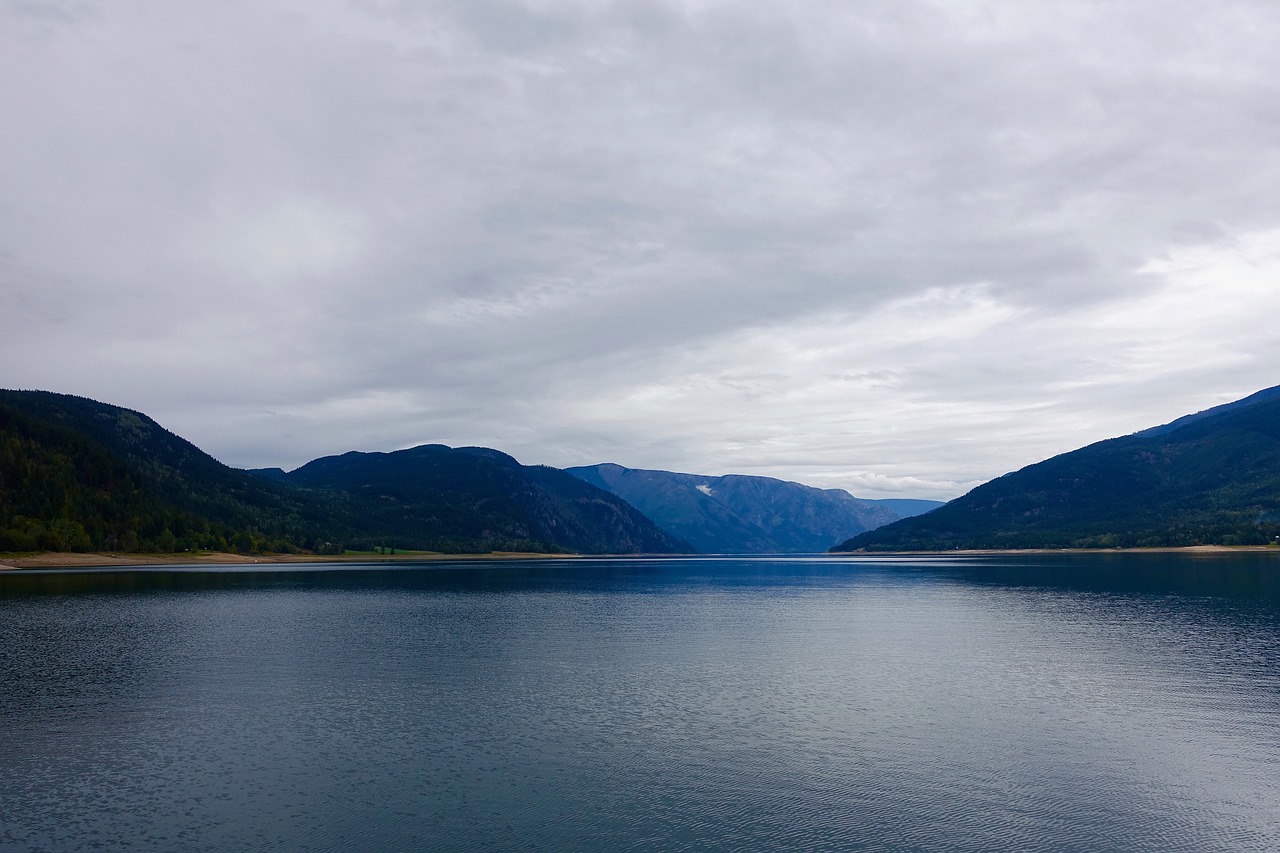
{"x": 1247, "y": 576}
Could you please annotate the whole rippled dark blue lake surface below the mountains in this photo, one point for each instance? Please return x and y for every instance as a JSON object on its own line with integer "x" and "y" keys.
{"x": 1066, "y": 704}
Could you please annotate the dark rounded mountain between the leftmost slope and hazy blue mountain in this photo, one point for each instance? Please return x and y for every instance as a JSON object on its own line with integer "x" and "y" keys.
{"x": 437, "y": 498}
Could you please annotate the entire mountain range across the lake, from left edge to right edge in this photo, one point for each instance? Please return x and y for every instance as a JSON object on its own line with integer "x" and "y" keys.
{"x": 80, "y": 476}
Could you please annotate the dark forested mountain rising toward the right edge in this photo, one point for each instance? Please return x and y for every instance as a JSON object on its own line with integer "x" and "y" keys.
{"x": 1210, "y": 478}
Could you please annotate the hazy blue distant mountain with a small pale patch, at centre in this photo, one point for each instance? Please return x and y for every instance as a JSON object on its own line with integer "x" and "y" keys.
{"x": 738, "y": 514}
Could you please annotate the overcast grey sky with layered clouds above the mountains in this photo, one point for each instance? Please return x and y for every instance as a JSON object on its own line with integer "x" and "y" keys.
{"x": 894, "y": 247}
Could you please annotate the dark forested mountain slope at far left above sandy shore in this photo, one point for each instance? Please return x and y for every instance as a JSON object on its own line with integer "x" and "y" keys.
{"x": 81, "y": 476}
